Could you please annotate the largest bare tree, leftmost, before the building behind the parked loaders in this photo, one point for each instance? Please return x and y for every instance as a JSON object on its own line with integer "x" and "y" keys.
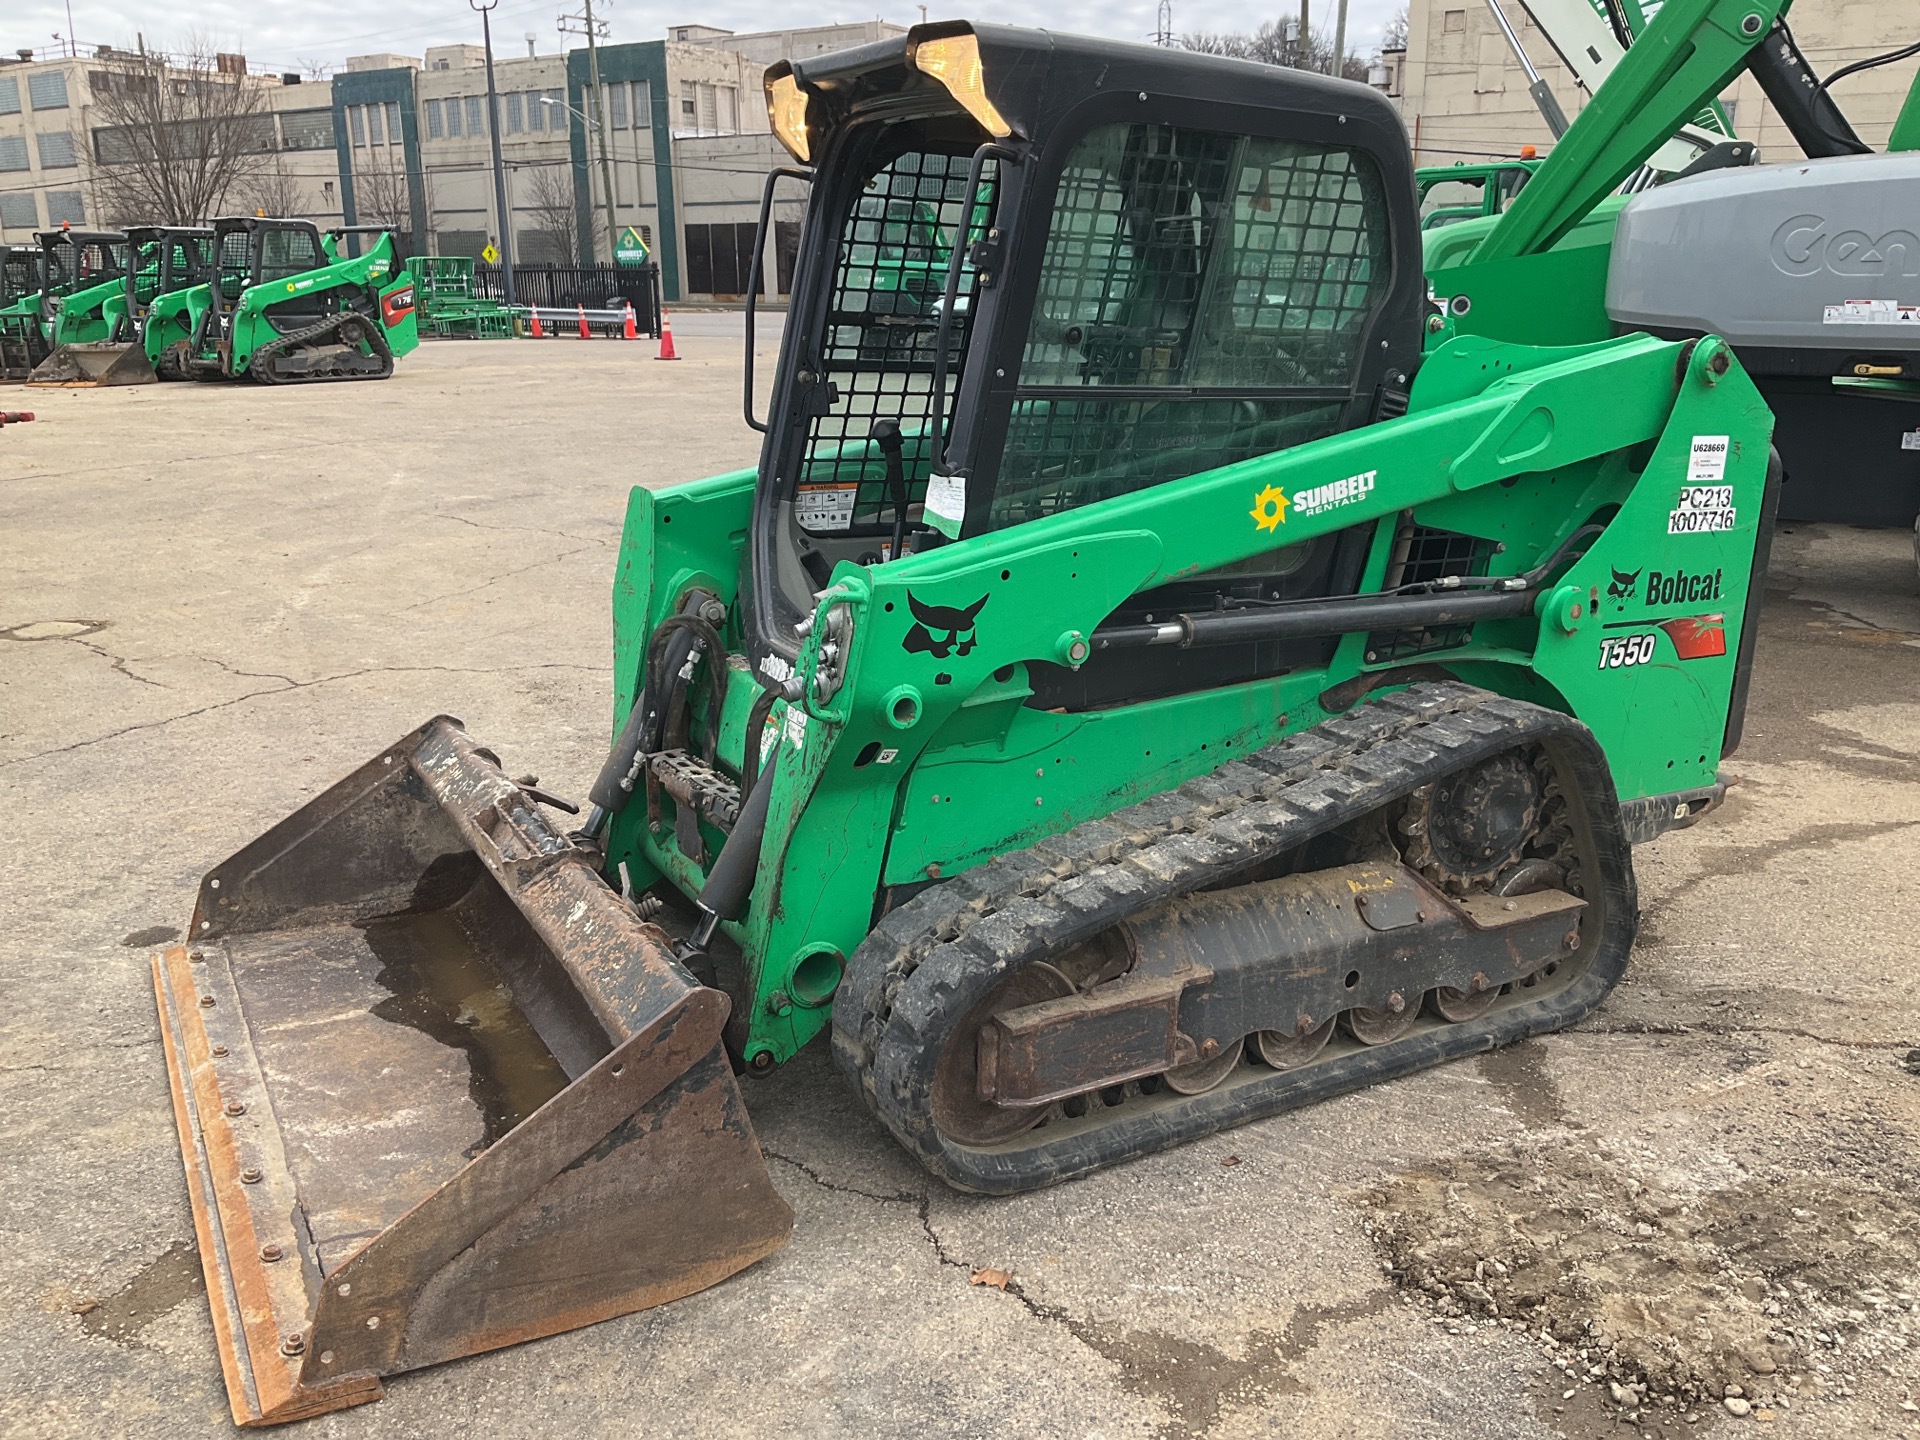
{"x": 176, "y": 137}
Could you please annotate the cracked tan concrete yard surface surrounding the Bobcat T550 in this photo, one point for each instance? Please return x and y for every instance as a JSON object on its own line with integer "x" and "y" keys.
{"x": 218, "y": 602}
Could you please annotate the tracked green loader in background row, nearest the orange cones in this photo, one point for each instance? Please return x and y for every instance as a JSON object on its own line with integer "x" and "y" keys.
{"x": 283, "y": 308}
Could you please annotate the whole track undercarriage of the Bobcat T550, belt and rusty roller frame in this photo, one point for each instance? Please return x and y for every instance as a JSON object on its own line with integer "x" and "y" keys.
{"x": 1182, "y": 967}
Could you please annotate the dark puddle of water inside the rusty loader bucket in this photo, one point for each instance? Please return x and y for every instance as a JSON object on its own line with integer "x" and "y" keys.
{"x": 444, "y": 988}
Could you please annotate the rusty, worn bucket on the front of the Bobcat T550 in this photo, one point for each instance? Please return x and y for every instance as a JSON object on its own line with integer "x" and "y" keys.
{"x": 441, "y": 1090}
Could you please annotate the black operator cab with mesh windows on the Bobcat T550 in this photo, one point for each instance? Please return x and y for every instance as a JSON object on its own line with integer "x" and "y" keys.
{"x": 1040, "y": 272}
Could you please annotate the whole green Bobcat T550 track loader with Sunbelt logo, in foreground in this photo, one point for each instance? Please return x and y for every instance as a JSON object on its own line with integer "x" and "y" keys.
{"x": 1182, "y": 690}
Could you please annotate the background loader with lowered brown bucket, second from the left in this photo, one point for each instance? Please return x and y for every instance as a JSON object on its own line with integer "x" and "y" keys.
{"x": 85, "y": 310}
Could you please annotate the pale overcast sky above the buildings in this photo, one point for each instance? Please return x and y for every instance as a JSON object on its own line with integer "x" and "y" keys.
{"x": 293, "y": 36}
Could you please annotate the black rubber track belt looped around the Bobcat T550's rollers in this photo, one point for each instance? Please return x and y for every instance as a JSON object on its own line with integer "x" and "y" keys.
{"x": 928, "y": 963}
